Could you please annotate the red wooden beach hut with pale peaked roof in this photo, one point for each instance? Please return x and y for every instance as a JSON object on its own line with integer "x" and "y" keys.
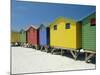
{"x": 32, "y": 36}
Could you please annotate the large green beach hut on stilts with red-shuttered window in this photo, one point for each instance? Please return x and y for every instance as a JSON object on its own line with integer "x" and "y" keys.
{"x": 89, "y": 35}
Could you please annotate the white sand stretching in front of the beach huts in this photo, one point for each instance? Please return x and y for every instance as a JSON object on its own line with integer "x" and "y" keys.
{"x": 28, "y": 60}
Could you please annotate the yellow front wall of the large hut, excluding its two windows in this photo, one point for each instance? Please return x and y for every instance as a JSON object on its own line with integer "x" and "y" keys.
{"x": 63, "y": 37}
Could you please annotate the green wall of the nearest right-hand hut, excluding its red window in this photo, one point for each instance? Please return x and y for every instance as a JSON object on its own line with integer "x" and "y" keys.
{"x": 88, "y": 34}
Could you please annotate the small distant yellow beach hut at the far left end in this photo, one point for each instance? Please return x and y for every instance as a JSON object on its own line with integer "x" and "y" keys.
{"x": 15, "y": 38}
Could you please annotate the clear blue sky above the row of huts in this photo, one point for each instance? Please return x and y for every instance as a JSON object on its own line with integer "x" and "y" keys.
{"x": 24, "y": 13}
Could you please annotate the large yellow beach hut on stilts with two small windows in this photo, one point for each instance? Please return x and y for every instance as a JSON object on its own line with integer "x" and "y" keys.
{"x": 65, "y": 34}
